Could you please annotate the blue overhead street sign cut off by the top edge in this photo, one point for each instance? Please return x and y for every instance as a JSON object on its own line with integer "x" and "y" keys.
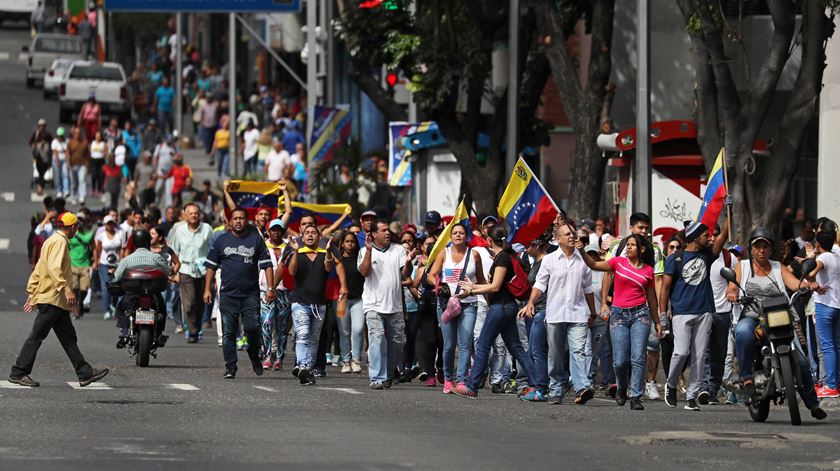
{"x": 209, "y": 6}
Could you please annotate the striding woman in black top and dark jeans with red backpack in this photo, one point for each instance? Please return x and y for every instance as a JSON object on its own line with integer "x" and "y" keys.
{"x": 501, "y": 317}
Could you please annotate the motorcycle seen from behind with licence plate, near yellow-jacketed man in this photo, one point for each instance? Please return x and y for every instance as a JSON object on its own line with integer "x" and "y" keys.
{"x": 145, "y": 315}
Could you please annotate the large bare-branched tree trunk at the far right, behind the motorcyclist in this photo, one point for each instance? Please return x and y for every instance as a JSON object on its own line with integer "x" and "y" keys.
{"x": 732, "y": 117}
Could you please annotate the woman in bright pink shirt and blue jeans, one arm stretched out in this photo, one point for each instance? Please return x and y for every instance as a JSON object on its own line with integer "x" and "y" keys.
{"x": 634, "y": 304}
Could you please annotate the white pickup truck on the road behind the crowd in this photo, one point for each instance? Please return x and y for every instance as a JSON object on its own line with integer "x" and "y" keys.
{"x": 105, "y": 81}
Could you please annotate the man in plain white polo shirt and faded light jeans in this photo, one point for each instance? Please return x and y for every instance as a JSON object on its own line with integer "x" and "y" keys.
{"x": 384, "y": 266}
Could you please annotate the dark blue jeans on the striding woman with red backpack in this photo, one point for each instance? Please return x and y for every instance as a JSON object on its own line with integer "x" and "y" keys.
{"x": 501, "y": 319}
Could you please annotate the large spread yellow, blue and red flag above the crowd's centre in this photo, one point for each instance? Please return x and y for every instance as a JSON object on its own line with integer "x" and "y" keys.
{"x": 526, "y": 206}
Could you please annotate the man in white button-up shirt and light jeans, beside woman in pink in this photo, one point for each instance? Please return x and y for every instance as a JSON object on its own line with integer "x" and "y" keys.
{"x": 570, "y": 310}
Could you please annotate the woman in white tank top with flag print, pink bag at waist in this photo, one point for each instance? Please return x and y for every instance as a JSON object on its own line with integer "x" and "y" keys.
{"x": 455, "y": 264}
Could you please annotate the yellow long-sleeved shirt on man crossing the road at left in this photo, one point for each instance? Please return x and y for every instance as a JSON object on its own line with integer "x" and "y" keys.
{"x": 49, "y": 282}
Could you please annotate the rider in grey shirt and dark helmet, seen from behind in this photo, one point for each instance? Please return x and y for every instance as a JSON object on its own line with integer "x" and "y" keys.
{"x": 142, "y": 257}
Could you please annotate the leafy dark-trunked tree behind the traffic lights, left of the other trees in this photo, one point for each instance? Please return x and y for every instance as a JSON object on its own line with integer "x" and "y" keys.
{"x": 445, "y": 50}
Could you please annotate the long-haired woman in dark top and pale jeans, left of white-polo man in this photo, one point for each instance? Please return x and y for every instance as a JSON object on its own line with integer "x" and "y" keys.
{"x": 351, "y": 326}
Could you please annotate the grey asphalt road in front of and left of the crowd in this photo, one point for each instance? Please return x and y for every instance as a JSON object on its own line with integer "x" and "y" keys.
{"x": 180, "y": 414}
